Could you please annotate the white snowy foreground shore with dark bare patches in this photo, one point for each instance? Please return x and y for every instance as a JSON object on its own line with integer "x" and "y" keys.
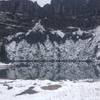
{"x": 48, "y": 90}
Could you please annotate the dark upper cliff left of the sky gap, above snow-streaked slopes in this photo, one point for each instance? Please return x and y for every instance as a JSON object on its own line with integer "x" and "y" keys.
{"x": 26, "y": 7}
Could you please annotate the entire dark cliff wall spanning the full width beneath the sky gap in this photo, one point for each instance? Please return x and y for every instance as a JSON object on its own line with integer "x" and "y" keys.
{"x": 58, "y": 14}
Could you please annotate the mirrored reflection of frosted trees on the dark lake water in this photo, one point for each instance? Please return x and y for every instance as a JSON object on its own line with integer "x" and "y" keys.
{"x": 53, "y": 70}
